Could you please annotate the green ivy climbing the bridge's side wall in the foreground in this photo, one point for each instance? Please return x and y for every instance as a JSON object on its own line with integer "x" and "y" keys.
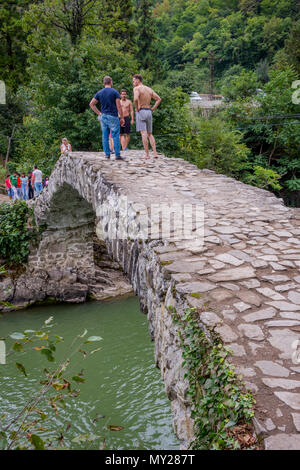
{"x": 221, "y": 410}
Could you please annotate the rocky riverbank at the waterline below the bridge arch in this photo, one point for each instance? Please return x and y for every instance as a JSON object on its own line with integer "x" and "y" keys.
{"x": 27, "y": 285}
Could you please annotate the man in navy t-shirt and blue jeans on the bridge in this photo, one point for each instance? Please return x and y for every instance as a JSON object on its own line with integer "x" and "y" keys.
{"x": 111, "y": 109}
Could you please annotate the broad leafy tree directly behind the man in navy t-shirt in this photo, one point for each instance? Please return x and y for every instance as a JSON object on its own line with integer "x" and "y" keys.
{"x": 63, "y": 80}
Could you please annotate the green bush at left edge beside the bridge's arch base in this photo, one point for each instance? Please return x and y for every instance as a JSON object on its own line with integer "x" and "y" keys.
{"x": 14, "y": 232}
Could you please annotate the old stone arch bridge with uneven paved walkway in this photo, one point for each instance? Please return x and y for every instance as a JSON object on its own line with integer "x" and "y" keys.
{"x": 242, "y": 264}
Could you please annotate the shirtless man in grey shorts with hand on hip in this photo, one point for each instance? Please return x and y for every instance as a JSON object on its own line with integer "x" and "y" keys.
{"x": 142, "y": 99}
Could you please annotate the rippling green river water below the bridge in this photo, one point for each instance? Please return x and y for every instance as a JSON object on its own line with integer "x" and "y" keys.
{"x": 123, "y": 386}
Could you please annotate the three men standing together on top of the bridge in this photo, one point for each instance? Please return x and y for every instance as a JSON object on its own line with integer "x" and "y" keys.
{"x": 116, "y": 116}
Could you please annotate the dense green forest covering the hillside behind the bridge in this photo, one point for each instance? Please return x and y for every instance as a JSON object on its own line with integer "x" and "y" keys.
{"x": 54, "y": 54}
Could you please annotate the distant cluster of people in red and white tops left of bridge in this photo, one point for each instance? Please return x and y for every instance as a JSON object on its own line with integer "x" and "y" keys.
{"x": 20, "y": 186}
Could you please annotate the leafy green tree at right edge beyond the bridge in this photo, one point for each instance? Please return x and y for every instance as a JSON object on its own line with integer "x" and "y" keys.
{"x": 271, "y": 129}
